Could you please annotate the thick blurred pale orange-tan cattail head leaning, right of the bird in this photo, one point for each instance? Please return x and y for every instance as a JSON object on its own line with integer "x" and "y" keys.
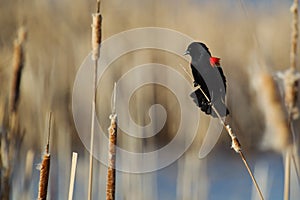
{"x": 277, "y": 131}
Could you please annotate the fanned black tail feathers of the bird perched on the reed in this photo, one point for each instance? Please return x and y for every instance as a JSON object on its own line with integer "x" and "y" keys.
{"x": 205, "y": 106}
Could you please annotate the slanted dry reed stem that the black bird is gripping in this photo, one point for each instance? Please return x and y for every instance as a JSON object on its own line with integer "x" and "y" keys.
{"x": 235, "y": 144}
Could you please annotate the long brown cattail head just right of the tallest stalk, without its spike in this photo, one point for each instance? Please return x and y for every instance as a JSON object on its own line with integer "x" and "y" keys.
{"x": 111, "y": 172}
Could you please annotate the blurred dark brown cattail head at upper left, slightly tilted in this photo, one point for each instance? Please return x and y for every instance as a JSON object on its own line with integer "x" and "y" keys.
{"x": 18, "y": 64}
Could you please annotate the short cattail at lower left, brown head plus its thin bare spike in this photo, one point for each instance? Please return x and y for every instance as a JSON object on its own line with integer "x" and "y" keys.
{"x": 45, "y": 167}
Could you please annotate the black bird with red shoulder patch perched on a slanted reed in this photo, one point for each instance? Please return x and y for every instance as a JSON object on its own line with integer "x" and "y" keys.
{"x": 209, "y": 75}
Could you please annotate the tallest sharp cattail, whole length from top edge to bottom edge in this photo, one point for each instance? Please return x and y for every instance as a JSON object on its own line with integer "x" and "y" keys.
{"x": 96, "y": 42}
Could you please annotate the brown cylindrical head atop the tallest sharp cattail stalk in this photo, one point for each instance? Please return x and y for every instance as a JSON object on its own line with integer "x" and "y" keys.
{"x": 96, "y": 35}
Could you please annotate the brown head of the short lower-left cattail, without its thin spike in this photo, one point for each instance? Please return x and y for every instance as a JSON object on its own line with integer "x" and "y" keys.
{"x": 44, "y": 177}
